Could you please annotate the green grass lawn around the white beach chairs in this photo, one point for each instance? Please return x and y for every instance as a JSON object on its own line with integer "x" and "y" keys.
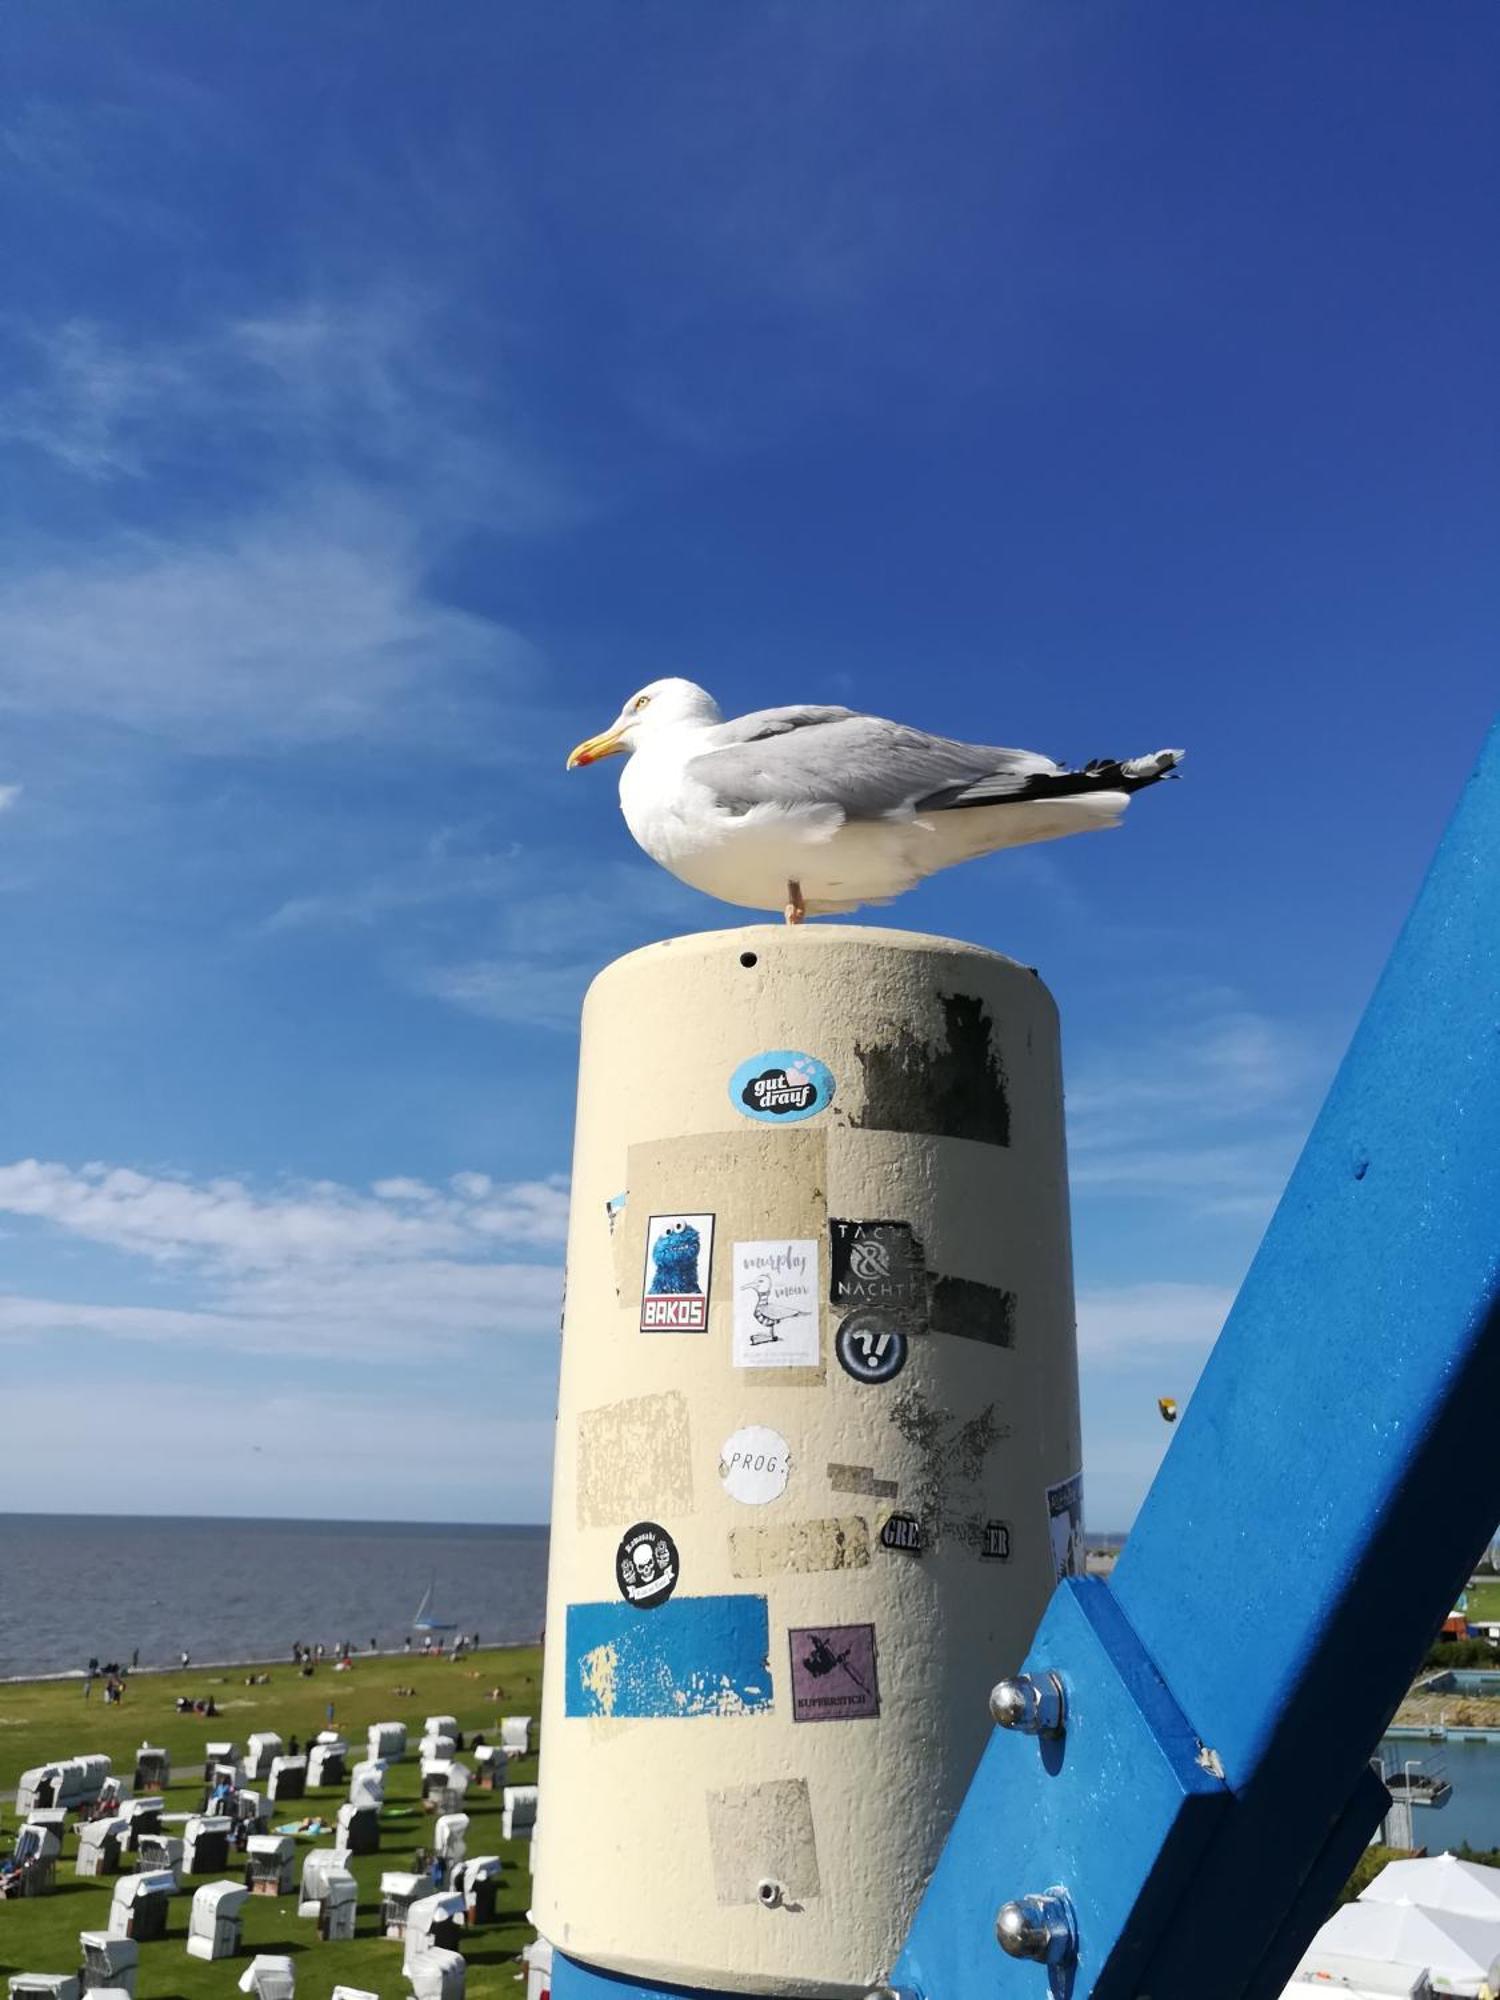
{"x": 45, "y": 1721}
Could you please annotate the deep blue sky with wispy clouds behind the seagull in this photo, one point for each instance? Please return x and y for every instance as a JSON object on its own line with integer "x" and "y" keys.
{"x": 387, "y": 395}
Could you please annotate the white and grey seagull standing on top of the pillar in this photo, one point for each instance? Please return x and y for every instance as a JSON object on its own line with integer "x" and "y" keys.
{"x": 817, "y": 811}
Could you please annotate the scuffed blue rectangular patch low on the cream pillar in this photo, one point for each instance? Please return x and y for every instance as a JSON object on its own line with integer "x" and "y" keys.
{"x": 693, "y": 1657}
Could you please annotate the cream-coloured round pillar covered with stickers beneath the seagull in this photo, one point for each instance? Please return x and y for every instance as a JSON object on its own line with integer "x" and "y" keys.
{"x": 817, "y": 1463}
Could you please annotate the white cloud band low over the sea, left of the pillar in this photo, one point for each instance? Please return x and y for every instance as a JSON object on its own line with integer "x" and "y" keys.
{"x": 317, "y": 1269}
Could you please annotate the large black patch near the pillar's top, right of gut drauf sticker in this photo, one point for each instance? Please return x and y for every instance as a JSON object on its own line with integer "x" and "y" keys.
{"x": 953, "y": 1089}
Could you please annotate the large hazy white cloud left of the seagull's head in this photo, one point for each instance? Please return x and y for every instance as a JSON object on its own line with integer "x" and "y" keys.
{"x": 299, "y": 627}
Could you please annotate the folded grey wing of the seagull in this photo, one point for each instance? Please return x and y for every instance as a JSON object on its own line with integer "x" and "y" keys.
{"x": 863, "y": 765}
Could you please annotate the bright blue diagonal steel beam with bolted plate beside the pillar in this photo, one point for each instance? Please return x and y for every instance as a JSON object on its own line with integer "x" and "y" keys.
{"x": 1323, "y": 1503}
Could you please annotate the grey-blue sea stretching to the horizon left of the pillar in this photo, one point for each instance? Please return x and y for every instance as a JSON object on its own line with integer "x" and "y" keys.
{"x": 77, "y": 1587}
